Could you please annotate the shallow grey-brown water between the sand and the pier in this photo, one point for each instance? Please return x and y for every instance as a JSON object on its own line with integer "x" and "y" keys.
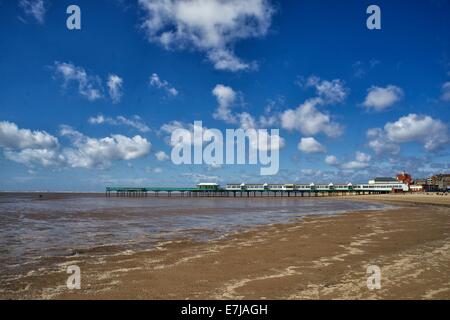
{"x": 32, "y": 229}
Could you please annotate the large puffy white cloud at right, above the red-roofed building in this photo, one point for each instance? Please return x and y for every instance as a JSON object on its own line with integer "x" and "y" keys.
{"x": 432, "y": 133}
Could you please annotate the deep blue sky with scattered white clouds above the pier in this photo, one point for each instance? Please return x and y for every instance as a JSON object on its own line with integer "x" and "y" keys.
{"x": 81, "y": 109}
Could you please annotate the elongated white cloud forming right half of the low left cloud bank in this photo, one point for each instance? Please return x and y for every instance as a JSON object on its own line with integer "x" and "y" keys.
{"x": 87, "y": 152}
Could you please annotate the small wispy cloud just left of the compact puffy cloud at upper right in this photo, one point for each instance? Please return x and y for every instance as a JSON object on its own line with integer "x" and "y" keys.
{"x": 333, "y": 91}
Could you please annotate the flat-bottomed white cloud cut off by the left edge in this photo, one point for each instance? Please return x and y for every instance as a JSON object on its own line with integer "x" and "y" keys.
{"x": 11, "y": 137}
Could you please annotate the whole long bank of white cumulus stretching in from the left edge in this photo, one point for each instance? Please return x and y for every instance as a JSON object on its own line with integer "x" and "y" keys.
{"x": 40, "y": 148}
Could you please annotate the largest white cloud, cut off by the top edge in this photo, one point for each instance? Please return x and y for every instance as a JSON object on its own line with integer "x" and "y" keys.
{"x": 210, "y": 26}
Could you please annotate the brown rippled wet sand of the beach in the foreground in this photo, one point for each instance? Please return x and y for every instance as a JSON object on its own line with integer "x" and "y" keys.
{"x": 320, "y": 257}
